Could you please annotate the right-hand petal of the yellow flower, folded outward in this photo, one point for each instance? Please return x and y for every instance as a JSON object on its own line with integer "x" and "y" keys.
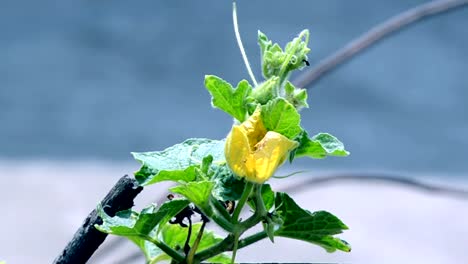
{"x": 270, "y": 153}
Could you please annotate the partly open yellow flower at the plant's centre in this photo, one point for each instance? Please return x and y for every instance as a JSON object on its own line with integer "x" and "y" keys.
{"x": 255, "y": 153}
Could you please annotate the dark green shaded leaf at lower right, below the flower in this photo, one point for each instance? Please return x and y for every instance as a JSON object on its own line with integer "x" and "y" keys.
{"x": 317, "y": 228}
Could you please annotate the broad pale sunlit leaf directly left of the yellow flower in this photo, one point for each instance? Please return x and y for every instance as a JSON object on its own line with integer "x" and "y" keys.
{"x": 177, "y": 163}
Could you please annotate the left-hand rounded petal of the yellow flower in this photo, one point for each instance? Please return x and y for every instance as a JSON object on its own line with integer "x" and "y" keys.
{"x": 237, "y": 152}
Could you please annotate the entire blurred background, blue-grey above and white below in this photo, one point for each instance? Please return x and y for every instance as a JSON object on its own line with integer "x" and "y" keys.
{"x": 84, "y": 83}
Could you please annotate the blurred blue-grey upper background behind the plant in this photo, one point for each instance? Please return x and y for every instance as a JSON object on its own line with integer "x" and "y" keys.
{"x": 99, "y": 79}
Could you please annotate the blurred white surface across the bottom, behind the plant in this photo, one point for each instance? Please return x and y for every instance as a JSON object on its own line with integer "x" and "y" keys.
{"x": 44, "y": 203}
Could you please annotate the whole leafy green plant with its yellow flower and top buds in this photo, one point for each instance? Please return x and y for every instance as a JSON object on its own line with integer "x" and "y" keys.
{"x": 210, "y": 189}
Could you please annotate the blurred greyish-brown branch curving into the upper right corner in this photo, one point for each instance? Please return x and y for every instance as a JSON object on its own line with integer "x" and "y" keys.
{"x": 374, "y": 35}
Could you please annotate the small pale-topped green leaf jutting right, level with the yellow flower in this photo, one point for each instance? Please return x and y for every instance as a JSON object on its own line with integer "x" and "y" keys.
{"x": 320, "y": 146}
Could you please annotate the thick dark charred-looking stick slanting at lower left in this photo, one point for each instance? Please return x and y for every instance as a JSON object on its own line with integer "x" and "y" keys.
{"x": 87, "y": 239}
